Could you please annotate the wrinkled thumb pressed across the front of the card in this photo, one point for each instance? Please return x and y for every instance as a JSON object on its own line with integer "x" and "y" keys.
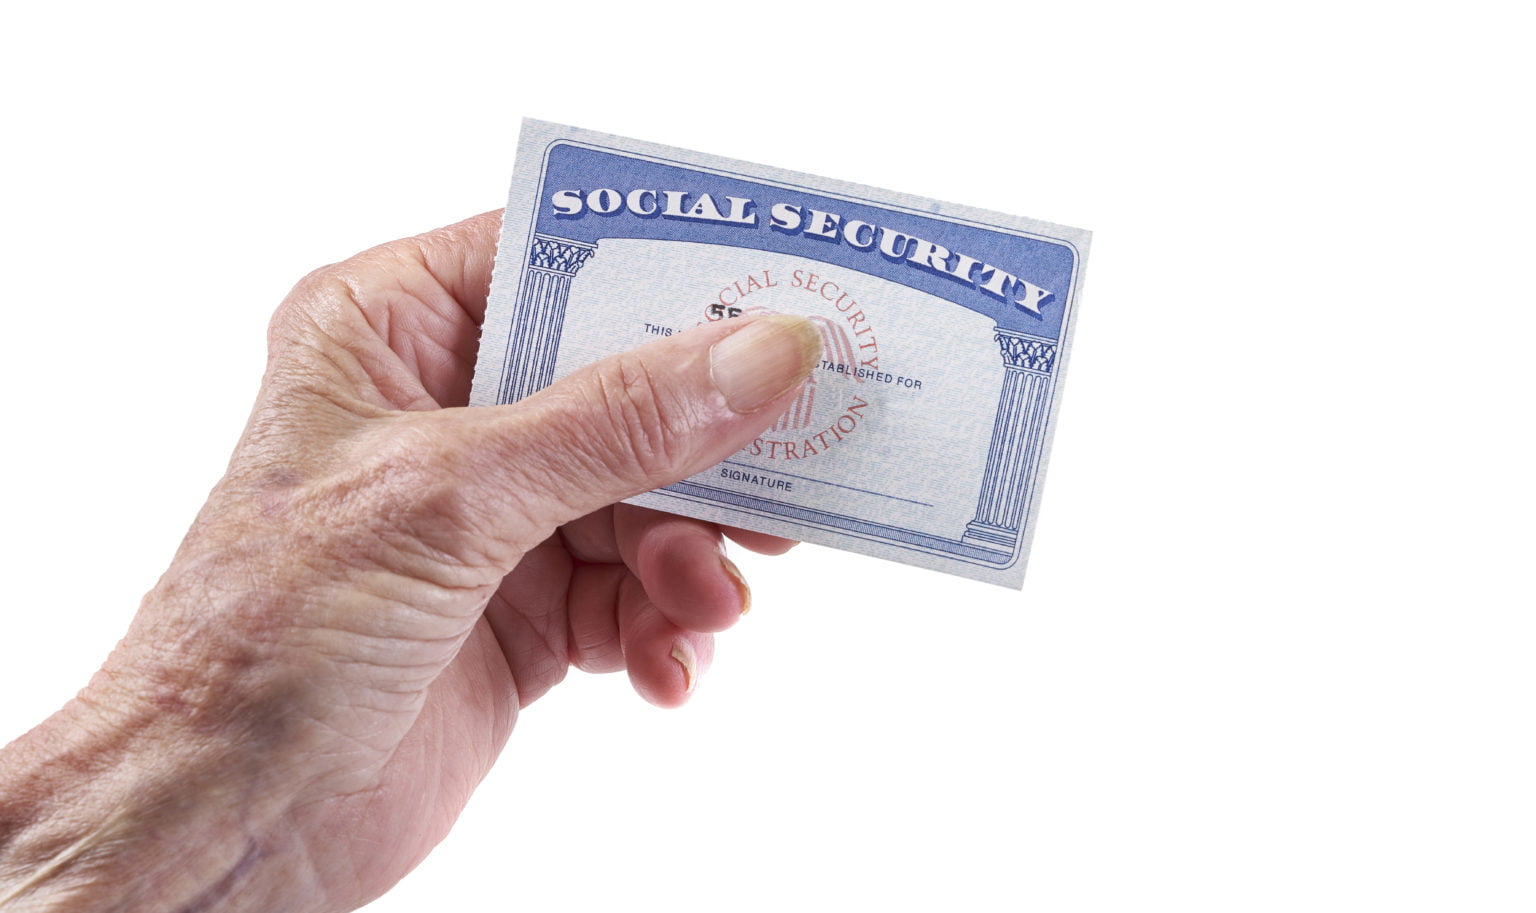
{"x": 627, "y": 425}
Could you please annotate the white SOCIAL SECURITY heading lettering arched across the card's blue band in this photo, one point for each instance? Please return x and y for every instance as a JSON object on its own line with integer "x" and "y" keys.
{"x": 792, "y": 219}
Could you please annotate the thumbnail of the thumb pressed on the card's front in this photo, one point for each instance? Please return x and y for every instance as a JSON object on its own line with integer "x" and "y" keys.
{"x": 764, "y": 359}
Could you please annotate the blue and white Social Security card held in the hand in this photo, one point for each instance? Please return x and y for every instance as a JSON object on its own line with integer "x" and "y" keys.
{"x": 921, "y": 437}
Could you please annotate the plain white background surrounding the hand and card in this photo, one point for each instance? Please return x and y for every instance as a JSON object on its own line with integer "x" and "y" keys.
{"x": 1276, "y": 648}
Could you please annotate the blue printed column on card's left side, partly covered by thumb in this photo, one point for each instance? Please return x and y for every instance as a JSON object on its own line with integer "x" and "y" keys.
{"x": 540, "y": 314}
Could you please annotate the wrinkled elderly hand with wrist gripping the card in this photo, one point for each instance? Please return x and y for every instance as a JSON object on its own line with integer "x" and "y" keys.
{"x": 379, "y": 585}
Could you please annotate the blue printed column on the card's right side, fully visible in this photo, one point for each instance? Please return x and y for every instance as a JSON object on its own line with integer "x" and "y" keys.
{"x": 1018, "y": 437}
